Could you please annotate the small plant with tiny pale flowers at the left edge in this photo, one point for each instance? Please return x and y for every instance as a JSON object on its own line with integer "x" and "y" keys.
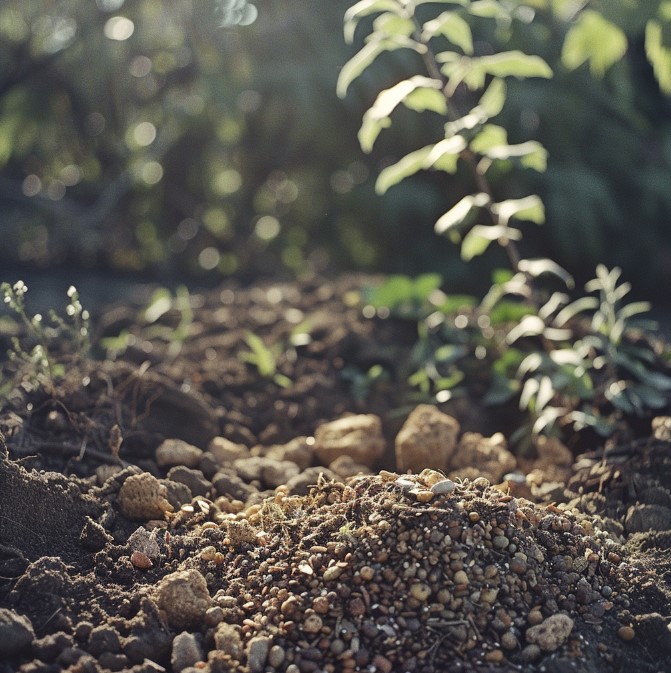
{"x": 40, "y": 352}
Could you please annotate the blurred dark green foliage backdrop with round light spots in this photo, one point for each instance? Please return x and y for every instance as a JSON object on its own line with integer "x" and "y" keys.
{"x": 183, "y": 141}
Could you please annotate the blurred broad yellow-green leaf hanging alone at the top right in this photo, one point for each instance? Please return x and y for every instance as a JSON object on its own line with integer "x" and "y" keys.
{"x": 593, "y": 39}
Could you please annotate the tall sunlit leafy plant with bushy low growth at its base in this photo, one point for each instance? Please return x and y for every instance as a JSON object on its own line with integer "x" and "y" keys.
{"x": 583, "y": 363}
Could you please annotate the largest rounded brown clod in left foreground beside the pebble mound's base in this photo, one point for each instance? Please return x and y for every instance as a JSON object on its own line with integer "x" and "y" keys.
{"x": 184, "y": 598}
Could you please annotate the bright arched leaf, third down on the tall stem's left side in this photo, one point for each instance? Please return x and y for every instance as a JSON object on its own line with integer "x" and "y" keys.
{"x": 377, "y": 116}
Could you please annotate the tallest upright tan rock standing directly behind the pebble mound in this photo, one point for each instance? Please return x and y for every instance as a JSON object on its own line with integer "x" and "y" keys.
{"x": 427, "y": 439}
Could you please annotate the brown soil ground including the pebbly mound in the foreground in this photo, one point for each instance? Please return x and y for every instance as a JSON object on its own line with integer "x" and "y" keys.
{"x": 87, "y": 586}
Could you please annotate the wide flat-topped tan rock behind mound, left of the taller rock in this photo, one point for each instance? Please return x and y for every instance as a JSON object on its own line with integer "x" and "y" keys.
{"x": 359, "y": 437}
